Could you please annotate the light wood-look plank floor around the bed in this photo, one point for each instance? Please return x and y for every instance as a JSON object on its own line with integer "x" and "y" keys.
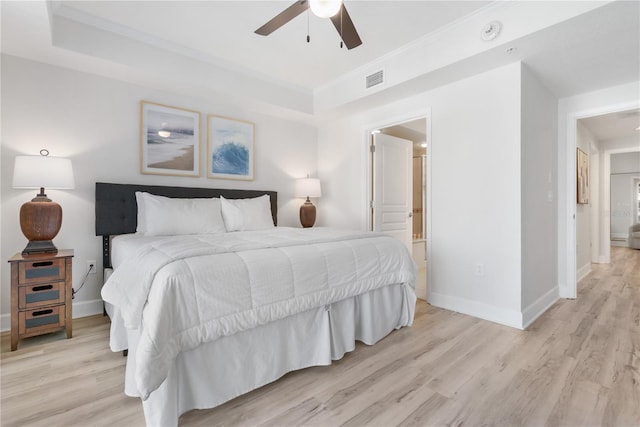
{"x": 577, "y": 365}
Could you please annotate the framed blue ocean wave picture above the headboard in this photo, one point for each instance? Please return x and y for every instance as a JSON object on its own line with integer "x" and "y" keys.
{"x": 230, "y": 148}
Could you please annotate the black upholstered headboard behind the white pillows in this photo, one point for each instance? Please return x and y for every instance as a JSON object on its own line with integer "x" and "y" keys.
{"x": 117, "y": 211}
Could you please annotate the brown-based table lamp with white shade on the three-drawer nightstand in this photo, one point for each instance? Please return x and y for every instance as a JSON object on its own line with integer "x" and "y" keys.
{"x": 41, "y": 218}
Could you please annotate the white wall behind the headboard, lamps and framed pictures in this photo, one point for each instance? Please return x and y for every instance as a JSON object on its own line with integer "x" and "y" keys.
{"x": 94, "y": 121}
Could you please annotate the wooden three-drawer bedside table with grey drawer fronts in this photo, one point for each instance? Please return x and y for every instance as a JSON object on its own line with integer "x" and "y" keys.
{"x": 40, "y": 294}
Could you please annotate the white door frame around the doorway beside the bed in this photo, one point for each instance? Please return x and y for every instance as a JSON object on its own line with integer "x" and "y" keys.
{"x": 368, "y": 182}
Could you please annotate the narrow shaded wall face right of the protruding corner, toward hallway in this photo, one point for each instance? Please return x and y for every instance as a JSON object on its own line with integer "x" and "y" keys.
{"x": 539, "y": 206}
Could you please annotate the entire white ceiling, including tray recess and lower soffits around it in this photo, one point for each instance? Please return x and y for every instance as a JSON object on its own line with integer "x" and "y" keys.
{"x": 208, "y": 48}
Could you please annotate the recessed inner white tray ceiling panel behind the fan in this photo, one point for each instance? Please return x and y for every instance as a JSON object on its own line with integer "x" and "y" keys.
{"x": 223, "y": 31}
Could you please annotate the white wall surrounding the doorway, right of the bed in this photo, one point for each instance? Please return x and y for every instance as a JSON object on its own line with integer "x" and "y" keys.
{"x": 474, "y": 187}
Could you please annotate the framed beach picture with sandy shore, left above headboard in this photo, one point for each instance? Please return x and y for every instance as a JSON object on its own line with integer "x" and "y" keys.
{"x": 169, "y": 140}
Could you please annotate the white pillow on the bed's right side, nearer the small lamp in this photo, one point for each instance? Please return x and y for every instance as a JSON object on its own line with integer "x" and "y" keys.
{"x": 247, "y": 214}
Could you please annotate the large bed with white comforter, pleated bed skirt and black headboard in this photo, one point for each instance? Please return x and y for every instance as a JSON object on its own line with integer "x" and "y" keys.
{"x": 208, "y": 312}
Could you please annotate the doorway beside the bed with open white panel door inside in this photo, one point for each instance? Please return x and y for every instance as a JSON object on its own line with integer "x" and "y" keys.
{"x": 402, "y": 213}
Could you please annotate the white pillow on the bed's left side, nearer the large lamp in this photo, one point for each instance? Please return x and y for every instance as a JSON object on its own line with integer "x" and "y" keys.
{"x": 173, "y": 216}
